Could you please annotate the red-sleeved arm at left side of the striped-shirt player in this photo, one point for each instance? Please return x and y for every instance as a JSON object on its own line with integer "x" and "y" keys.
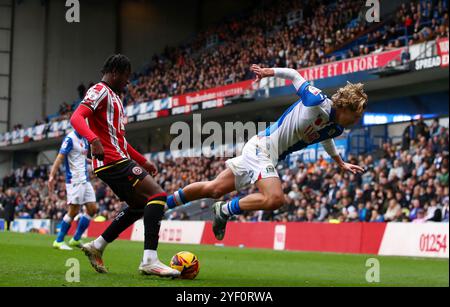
{"x": 78, "y": 122}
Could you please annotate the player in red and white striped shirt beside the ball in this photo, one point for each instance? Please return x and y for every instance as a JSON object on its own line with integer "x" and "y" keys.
{"x": 120, "y": 166}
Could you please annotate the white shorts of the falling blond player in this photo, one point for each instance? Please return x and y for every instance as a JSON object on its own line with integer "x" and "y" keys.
{"x": 253, "y": 165}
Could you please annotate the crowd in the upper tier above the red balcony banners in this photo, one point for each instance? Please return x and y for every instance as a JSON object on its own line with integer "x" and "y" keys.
{"x": 276, "y": 33}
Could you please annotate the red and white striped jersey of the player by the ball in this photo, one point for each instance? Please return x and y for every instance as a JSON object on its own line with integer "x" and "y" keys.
{"x": 108, "y": 123}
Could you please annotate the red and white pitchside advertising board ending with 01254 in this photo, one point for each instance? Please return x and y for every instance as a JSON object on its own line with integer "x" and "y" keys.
{"x": 392, "y": 239}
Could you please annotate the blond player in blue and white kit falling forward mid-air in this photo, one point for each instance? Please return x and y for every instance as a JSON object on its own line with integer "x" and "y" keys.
{"x": 314, "y": 118}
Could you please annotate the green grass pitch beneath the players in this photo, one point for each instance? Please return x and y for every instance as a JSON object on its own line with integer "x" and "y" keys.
{"x": 29, "y": 260}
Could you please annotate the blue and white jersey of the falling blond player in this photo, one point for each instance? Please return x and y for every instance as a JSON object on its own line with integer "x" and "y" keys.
{"x": 308, "y": 121}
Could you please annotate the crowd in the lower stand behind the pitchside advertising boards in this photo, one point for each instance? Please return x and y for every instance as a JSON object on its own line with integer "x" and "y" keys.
{"x": 403, "y": 182}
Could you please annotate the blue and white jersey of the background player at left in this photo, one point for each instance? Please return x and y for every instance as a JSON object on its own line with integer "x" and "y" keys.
{"x": 75, "y": 149}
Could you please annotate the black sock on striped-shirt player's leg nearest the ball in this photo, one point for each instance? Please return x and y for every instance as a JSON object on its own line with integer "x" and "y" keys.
{"x": 153, "y": 214}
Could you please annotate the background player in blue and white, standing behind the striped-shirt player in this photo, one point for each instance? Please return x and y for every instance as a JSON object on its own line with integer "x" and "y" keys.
{"x": 73, "y": 154}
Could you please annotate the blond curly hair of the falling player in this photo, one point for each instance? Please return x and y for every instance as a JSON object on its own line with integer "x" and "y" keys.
{"x": 352, "y": 97}
